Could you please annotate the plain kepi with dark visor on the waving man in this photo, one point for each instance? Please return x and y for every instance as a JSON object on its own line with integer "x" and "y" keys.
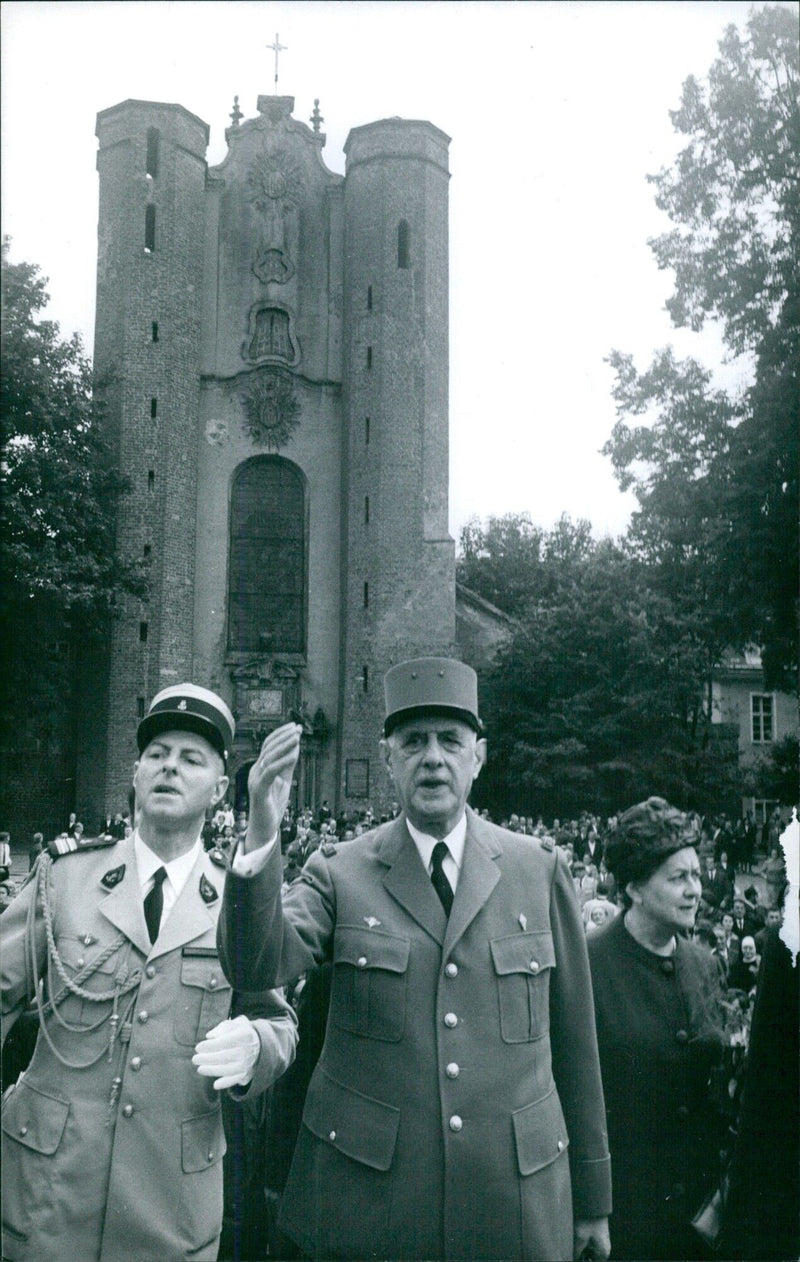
{"x": 431, "y": 686}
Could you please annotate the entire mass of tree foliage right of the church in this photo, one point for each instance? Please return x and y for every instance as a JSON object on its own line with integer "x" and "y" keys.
{"x": 604, "y": 693}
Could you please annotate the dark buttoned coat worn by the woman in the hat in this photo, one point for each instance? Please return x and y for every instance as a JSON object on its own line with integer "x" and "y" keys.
{"x": 661, "y": 1037}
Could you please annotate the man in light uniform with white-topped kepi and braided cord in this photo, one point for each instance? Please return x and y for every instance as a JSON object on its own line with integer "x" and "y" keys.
{"x": 113, "y": 1138}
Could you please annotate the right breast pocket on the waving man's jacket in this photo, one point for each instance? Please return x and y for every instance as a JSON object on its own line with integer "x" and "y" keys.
{"x": 523, "y": 967}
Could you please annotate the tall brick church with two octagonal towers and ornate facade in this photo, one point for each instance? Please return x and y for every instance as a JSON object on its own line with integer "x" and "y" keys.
{"x": 272, "y": 357}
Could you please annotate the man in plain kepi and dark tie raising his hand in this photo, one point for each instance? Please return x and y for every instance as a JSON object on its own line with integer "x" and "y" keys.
{"x": 456, "y": 1110}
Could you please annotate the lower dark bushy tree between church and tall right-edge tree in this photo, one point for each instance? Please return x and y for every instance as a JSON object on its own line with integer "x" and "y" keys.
{"x": 599, "y": 700}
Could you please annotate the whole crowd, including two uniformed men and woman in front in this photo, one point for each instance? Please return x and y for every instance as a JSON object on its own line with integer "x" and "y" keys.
{"x": 654, "y": 921}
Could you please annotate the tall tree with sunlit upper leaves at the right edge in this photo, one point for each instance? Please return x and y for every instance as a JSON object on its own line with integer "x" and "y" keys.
{"x": 717, "y": 476}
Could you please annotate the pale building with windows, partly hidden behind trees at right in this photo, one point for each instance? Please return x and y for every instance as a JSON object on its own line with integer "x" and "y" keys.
{"x": 758, "y": 719}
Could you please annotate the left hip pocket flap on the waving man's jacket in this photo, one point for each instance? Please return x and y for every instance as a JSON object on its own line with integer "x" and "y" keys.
{"x": 356, "y": 1125}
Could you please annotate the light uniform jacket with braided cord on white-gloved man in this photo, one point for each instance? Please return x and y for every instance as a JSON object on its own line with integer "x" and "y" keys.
{"x": 121, "y": 1159}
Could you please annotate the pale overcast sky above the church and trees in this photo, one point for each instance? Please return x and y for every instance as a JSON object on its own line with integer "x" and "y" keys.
{"x": 557, "y": 113}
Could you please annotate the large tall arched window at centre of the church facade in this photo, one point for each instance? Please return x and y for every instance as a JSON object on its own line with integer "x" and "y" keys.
{"x": 268, "y": 565}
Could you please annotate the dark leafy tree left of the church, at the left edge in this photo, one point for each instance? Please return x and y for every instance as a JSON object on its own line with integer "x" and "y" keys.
{"x": 60, "y": 571}
